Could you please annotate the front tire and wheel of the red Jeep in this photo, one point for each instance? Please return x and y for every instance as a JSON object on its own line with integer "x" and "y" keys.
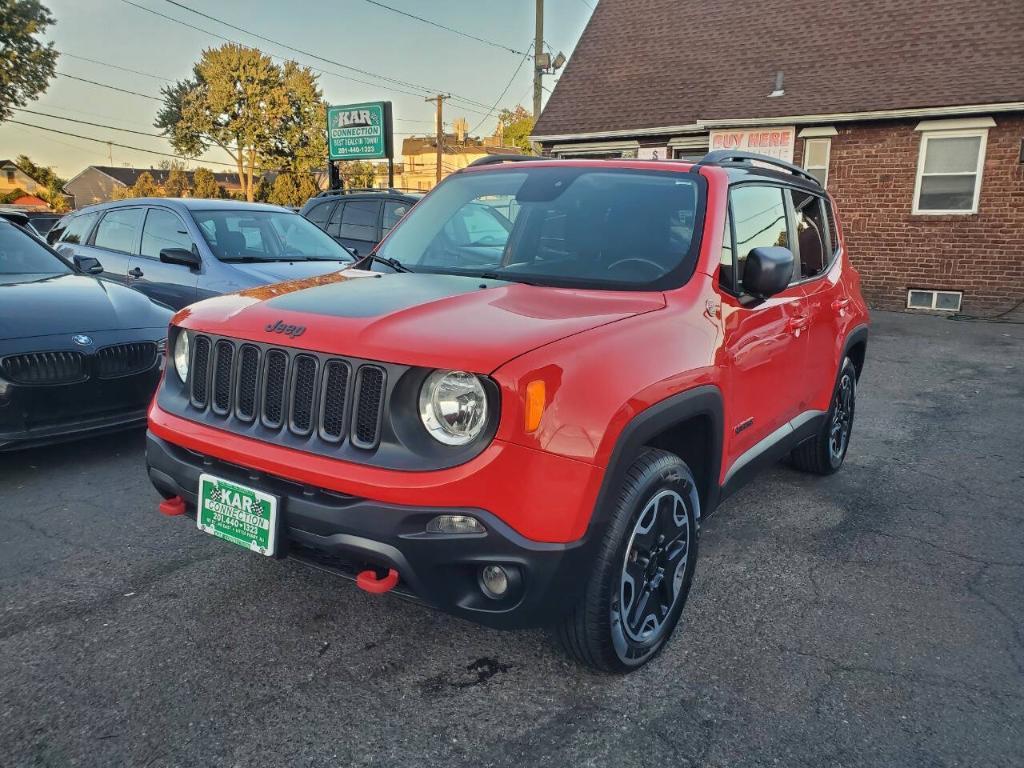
{"x": 658, "y": 498}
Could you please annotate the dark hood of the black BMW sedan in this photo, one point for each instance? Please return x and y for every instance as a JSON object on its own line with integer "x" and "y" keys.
{"x": 72, "y": 305}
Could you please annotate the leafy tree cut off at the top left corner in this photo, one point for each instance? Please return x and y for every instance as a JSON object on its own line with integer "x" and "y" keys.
{"x": 26, "y": 65}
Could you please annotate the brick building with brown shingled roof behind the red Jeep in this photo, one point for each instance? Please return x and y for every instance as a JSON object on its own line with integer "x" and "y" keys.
{"x": 911, "y": 112}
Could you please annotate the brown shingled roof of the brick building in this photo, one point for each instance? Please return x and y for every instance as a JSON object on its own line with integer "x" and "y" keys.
{"x": 650, "y": 64}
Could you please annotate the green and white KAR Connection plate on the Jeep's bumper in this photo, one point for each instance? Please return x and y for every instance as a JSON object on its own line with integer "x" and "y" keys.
{"x": 238, "y": 515}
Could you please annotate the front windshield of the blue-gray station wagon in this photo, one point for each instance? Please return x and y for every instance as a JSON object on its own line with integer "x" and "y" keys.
{"x": 248, "y": 236}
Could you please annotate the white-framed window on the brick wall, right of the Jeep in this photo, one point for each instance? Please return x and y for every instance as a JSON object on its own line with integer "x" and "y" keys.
{"x": 950, "y": 173}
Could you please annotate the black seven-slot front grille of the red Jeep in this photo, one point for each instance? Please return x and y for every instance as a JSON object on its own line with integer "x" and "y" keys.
{"x": 311, "y": 396}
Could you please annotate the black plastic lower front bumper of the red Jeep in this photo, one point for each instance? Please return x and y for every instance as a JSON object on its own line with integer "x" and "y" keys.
{"x": 346, "y": 534}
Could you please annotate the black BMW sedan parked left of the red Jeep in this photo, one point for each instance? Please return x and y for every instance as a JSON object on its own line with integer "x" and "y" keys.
{"x": 78, "y": 356}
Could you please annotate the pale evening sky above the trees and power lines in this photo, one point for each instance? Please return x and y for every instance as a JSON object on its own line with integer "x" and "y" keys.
{"x": 152, "y": 51}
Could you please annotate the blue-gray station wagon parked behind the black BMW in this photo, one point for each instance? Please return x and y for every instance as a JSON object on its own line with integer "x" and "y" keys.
{"x": 180, "y": 251}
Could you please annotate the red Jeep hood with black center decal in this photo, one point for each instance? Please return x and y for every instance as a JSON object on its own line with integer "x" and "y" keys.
{"x": 435, "y": 321}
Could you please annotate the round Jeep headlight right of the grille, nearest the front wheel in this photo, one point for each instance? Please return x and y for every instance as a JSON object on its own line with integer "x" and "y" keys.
{"x": 453, "y": 407}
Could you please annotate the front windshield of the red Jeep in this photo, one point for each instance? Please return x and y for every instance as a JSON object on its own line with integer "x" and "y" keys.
{"x": 558, "y": 226}
